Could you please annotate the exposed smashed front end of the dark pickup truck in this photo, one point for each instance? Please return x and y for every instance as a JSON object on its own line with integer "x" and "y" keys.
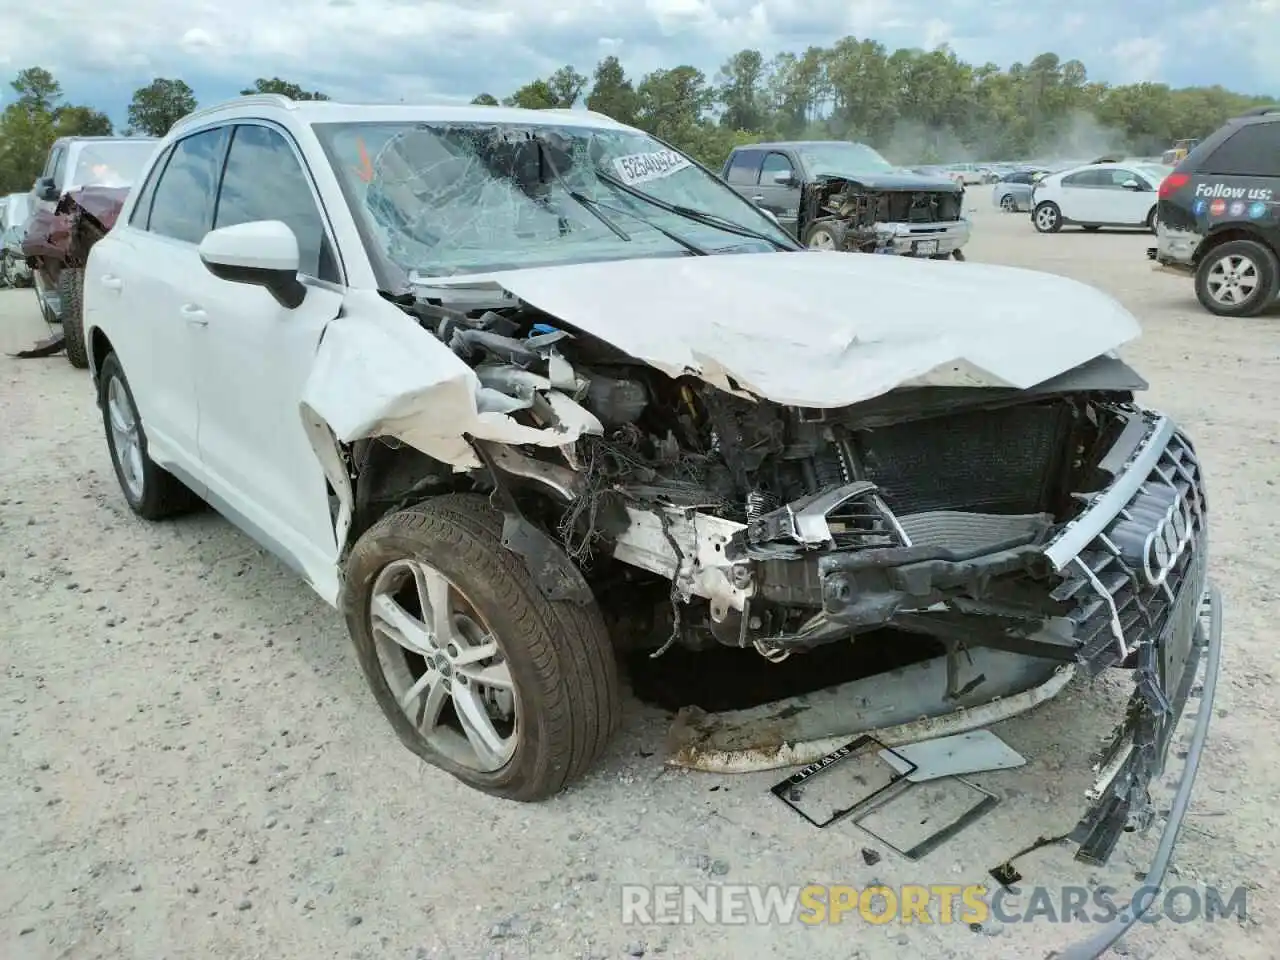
{"x": 863, "y": 213}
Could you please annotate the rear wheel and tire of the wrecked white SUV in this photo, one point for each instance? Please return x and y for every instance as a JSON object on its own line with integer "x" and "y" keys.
{"x": 150, "y": 491}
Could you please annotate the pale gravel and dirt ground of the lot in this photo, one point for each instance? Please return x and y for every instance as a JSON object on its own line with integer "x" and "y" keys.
{"x": 194, "y": 769}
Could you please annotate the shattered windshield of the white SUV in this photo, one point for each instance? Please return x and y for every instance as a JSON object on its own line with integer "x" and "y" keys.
{"x": 447, "y": 199}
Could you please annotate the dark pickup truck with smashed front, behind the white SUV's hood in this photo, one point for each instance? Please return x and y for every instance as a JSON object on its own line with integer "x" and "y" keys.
{"x": 838, "y": 195}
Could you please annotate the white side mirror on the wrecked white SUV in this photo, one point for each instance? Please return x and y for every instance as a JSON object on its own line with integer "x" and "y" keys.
{"x": 263, "y": 254}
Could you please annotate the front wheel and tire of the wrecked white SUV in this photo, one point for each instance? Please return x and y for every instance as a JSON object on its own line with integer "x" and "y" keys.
{"x": 477, "y": 671}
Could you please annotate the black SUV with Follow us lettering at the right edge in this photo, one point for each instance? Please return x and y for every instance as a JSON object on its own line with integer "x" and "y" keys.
{"x": 1219, "y": 216}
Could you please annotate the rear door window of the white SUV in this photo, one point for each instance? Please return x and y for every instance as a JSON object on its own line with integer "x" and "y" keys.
{"x": 184, "y": 203}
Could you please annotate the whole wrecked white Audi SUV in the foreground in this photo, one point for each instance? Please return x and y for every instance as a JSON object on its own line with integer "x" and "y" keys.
{"x": 536, "y": 387}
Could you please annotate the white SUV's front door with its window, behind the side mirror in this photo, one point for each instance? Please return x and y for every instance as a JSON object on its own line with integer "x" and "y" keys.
{"x": 255, "y": 356}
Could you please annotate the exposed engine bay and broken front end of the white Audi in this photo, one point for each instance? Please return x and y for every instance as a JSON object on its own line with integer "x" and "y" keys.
{"x": 758, "y": 525}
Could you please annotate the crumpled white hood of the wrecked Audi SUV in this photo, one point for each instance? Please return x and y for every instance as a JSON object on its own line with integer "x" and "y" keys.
{"x": 826, "y": 330}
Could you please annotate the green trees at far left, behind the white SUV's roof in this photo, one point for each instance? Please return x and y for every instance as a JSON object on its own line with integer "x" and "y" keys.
{"x": 39, "y": 116}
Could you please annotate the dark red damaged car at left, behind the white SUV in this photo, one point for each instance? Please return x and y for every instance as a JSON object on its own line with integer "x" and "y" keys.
{"x": 75, "y": 203}
